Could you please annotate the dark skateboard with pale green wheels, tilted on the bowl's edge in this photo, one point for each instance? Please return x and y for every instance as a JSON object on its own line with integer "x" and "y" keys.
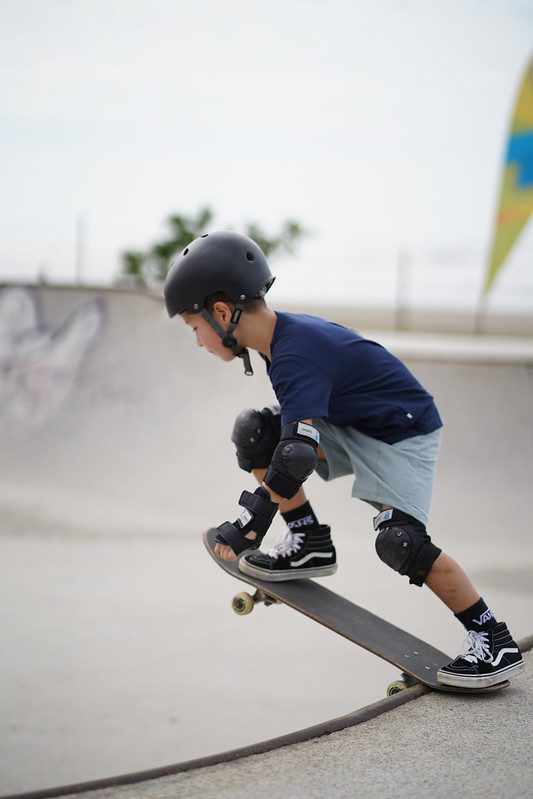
{"x": 417, "y": 661}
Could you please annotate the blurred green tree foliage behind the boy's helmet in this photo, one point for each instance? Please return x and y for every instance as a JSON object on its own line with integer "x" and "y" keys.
{"x": 149, "y": 269}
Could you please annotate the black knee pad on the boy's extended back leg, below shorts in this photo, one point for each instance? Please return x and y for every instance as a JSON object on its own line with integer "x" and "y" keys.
{"x": 404, "y": 545}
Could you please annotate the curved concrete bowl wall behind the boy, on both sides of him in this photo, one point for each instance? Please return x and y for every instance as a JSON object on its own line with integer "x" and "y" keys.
{"x": 106, "y": 403}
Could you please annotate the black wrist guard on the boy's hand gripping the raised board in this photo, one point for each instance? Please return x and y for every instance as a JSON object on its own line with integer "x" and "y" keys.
{"x": 259, "y": 510}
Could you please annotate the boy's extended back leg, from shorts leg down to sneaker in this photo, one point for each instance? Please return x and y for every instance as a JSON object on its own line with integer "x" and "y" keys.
{"x": 404, "y": 474}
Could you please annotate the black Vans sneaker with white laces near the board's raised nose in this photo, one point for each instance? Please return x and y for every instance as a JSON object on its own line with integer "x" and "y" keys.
{"x": 309, "y": 553}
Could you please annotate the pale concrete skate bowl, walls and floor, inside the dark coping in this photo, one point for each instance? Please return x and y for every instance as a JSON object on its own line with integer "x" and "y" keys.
{"x": 119, "y": 651}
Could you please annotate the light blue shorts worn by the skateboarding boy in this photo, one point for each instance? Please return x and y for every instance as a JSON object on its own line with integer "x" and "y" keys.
{"x": 400, "y": 475}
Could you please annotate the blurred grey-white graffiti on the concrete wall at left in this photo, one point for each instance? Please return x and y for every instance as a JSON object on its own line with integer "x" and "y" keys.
{"x": 39, "y": 362}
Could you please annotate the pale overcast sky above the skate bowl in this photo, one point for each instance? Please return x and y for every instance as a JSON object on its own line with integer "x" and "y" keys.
{"x": 376, "y": 124}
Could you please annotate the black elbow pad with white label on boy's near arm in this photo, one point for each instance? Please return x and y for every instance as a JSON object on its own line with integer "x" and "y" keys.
{"x": 294, "y": 459}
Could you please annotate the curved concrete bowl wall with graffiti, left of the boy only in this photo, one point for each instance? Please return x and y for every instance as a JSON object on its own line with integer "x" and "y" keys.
{"x": 103, "y": 406}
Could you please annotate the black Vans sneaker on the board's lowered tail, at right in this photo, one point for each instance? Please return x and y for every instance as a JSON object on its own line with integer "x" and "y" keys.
{"x": 489, "y": 657}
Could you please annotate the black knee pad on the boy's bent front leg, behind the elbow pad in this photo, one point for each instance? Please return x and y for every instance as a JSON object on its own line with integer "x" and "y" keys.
{"x": 256, "y": 435}
